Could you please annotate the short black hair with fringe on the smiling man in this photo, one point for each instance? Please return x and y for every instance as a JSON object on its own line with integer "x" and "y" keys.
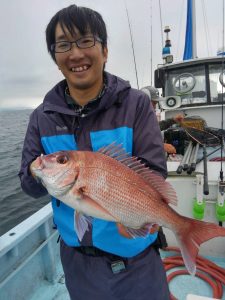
{"x": 83, "y": 18}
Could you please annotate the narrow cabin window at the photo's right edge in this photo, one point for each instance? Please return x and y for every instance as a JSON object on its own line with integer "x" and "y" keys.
{"x": 217, "y": 83}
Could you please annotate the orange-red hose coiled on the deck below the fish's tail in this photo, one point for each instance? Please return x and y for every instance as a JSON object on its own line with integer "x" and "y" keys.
{"x": 206, "y": 270}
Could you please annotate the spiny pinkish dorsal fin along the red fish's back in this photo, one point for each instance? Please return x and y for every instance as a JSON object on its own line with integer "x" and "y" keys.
{"x": 152, "y": 178}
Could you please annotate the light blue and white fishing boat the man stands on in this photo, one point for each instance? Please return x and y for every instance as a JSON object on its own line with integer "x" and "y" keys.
{"x": 29, "y": 252}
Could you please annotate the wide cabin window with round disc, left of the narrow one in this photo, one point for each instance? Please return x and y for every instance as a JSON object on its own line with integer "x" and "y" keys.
{"x": 188, "y": 83}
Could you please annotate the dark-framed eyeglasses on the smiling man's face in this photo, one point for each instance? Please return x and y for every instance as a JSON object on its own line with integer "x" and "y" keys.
{"x": 82, "y": 43}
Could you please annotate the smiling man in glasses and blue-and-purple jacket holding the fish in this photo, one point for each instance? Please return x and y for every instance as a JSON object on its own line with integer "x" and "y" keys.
{"x": 88, "y": 110}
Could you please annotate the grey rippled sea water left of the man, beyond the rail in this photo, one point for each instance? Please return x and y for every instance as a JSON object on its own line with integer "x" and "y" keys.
{"x": 15, "y": 205}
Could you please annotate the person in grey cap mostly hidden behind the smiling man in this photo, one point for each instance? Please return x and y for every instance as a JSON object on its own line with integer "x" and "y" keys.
{"x": 153, "y": 94}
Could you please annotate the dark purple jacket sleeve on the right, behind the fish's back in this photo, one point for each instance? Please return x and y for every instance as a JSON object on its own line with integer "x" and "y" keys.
{"x": 148, "y": 143}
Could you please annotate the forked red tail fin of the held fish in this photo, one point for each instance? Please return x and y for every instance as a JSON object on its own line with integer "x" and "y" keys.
{"x": 190, "y": 235}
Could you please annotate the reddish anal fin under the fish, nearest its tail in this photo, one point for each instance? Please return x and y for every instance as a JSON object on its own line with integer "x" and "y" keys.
{"x": 137, "y": 232}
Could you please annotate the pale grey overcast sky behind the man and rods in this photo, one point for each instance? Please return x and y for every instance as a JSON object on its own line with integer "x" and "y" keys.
{"x": 27, "y": 71}
